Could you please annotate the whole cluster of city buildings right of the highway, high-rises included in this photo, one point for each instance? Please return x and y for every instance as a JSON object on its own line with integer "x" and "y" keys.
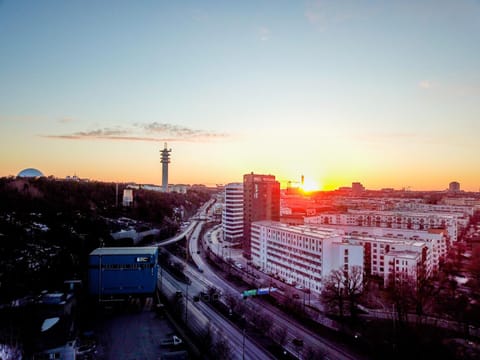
{"x": 390, "y": 237}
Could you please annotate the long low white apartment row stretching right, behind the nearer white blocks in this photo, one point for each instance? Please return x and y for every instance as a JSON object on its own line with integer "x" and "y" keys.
{"x": 391, "y": 219}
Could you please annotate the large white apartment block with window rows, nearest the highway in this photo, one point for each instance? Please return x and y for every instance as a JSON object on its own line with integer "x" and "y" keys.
{"x": 302, "y": 255}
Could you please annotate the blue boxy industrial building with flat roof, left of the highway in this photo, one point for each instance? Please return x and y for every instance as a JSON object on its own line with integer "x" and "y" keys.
{"x": 123, "y": 271}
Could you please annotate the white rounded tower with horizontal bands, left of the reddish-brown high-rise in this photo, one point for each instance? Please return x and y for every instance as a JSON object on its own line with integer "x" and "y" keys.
{"x": 232, "y": 215}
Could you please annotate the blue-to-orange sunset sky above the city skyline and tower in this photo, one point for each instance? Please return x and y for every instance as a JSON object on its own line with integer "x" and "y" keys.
{"x": 382, "y": 92}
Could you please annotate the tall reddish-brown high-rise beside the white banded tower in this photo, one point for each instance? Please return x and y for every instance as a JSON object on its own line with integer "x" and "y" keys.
{"x": 261, "y": 197}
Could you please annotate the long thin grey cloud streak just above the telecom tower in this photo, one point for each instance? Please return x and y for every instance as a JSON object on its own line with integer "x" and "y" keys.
{"x": 143, "y": 132}
